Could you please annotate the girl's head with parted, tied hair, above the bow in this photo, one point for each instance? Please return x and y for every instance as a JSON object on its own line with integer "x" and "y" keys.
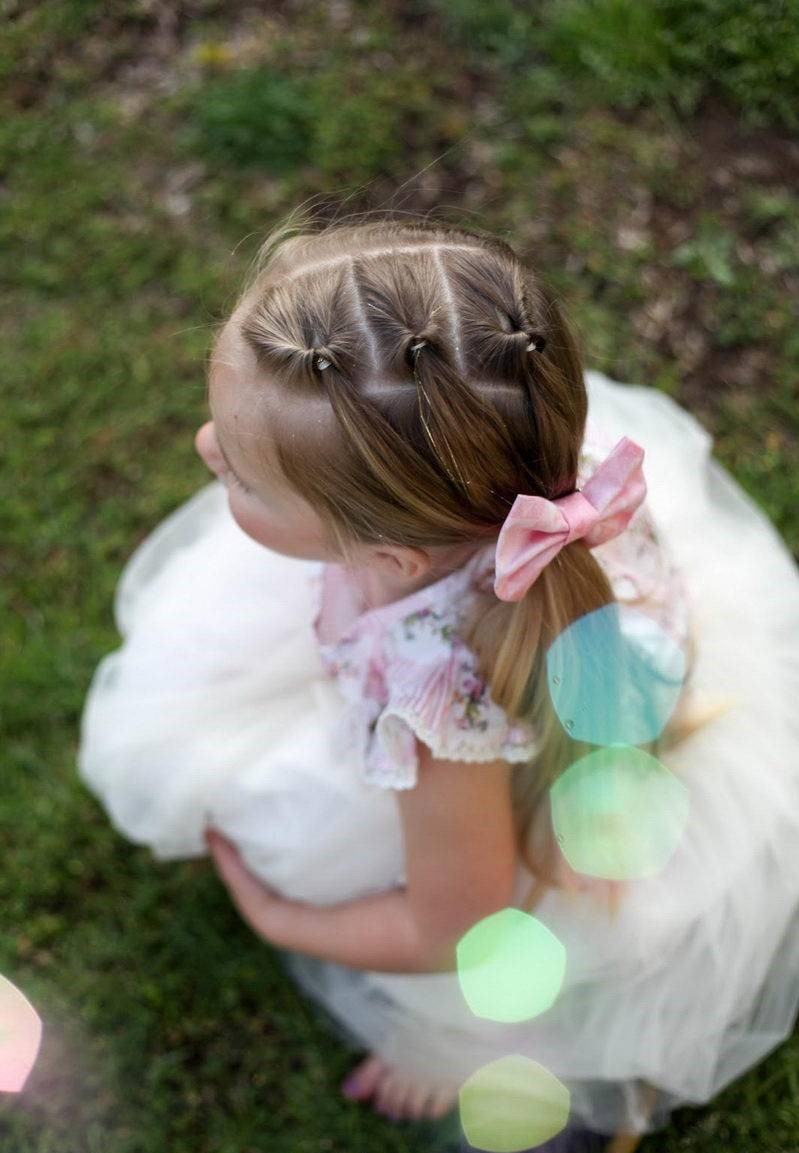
{"x": 345, "y": 451}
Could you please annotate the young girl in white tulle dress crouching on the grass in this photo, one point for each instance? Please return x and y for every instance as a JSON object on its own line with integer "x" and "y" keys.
{"x": 334, "y": 659}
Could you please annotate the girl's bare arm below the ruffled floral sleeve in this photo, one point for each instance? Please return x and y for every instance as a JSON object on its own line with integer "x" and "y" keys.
{"x": 461, "y": 866}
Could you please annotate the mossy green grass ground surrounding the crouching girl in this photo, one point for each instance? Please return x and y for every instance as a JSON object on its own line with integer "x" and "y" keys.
{"x": 125, "y": 236}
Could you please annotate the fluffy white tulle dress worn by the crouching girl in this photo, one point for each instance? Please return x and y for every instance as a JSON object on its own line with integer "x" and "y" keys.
{"x": 223, "y": 706}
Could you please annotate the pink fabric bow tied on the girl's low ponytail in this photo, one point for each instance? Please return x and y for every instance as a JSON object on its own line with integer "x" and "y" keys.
{"x": 537, "y": 529}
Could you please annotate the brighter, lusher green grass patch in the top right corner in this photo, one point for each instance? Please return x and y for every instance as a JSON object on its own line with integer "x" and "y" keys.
{"x": 668, "y": 54}
